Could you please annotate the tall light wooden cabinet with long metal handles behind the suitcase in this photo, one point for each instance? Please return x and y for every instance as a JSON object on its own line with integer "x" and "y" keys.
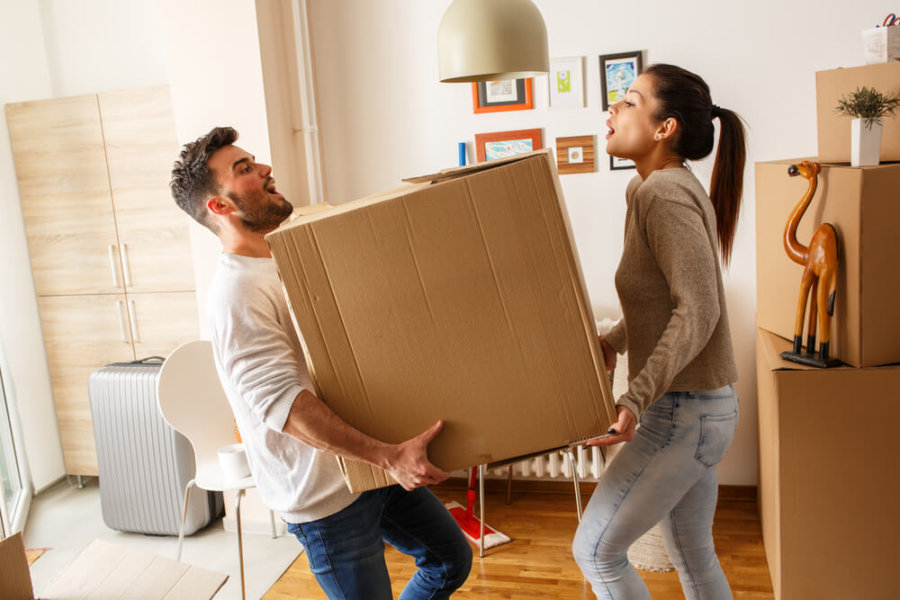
{"x": 109, "y": 249}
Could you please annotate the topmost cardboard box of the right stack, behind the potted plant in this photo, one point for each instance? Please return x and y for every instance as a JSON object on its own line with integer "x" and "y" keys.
{"x": 834, "y": 129}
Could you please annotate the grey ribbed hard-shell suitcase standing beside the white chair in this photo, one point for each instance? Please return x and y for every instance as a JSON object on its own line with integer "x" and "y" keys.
{"x": 144, "y": 464}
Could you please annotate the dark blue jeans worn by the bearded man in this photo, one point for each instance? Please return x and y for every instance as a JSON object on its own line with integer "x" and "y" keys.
{"x": 346, "y": 550}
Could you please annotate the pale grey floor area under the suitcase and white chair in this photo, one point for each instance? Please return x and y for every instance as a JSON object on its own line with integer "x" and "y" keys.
{"x": 65, "y": 519}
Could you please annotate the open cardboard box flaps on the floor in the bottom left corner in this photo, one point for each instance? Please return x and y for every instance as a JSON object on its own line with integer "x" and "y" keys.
{"x": 102, "y": 571}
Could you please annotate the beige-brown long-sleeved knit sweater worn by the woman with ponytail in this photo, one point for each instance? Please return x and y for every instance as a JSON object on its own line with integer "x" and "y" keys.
{"x": 674, "y": 324}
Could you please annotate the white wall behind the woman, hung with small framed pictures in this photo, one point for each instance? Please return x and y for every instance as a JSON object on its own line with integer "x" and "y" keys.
{"x": 385, "y": 116}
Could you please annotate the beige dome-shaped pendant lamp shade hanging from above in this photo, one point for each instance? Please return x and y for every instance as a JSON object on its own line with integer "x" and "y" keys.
{"x": 488, "y": 40}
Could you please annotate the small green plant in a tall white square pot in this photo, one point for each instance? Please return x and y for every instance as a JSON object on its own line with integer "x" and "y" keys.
{"x": 868, "y": 107}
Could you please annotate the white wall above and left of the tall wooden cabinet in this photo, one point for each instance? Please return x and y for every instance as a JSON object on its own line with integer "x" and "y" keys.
{"x": 55, "y": 48}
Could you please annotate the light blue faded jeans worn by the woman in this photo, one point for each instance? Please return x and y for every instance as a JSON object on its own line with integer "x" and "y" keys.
{"x": 666, "y": 475}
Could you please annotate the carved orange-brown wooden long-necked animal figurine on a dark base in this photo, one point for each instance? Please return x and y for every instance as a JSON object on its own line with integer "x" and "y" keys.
{"x": 819, "y": 280}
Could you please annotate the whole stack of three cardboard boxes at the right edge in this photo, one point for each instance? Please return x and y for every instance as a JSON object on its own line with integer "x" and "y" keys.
{"x": 827, "y": 489}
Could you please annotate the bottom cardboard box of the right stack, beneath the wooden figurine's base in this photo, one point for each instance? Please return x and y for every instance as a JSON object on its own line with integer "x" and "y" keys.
{"x": 828, "y": 485}
